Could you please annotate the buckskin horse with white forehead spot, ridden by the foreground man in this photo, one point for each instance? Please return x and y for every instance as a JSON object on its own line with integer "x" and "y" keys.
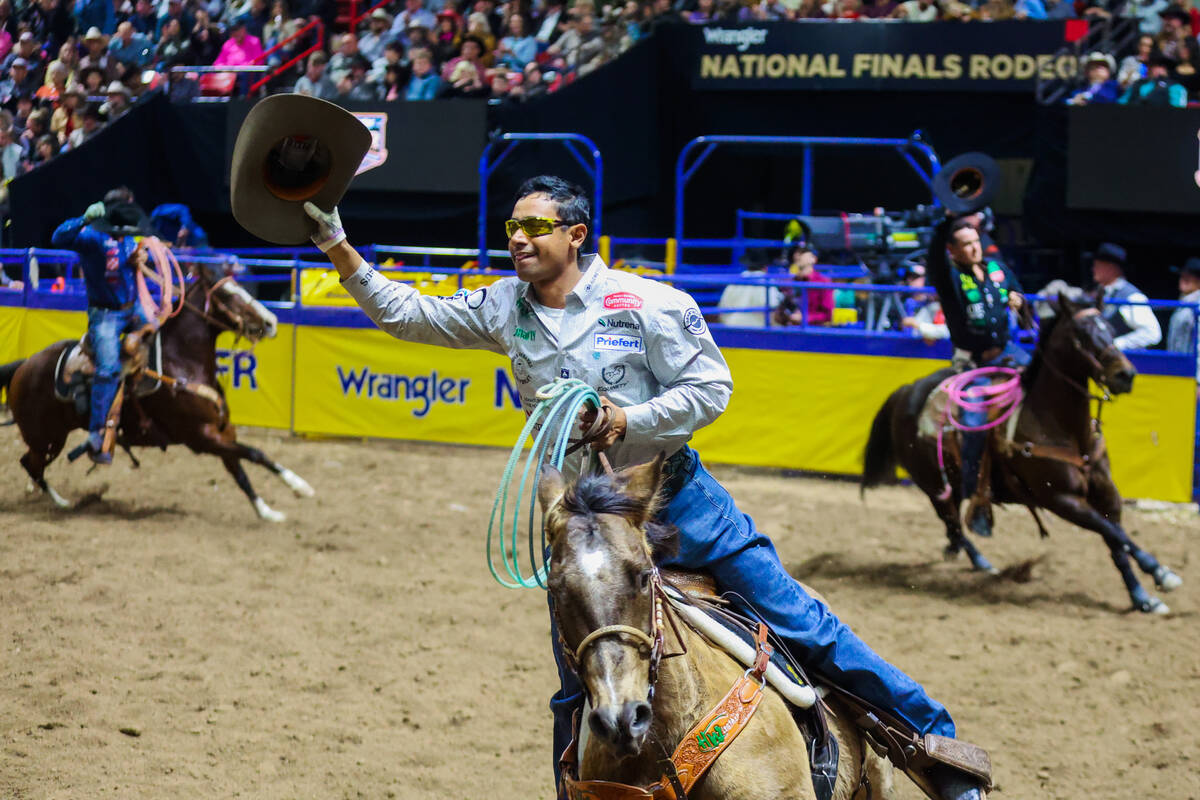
{"x": 620, "y": 630}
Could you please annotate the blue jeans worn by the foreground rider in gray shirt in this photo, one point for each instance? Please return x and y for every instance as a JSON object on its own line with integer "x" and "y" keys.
{"x": 717, "y": 538}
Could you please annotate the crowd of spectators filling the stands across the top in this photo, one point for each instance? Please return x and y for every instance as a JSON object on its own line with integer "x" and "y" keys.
{"x": 68, "y": 68}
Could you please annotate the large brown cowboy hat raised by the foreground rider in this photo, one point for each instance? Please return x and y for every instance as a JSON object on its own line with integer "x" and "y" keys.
{"x": 291, "y": 149}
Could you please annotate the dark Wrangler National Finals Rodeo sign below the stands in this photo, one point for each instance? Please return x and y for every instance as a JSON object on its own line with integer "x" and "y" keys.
{"x": 944, "y": 57}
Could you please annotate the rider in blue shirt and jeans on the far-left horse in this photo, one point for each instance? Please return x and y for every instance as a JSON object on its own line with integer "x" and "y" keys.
{"x": 110, "y": 257}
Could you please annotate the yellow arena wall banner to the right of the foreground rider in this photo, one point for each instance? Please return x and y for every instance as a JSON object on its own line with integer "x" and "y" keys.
{"x": 813, "y": 412}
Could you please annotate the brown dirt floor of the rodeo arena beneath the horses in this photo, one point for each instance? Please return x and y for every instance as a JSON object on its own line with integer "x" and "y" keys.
{"x": 161, "y": 642}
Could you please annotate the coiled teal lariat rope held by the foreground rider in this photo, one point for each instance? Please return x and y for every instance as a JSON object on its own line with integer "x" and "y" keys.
{"x": 559, "y": 413}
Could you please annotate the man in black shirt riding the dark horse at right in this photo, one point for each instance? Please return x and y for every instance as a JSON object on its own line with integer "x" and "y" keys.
{"x": 976, "y": 297}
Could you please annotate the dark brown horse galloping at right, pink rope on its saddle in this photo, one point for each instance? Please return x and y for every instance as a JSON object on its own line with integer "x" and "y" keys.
{"x": 1055, "y": 458}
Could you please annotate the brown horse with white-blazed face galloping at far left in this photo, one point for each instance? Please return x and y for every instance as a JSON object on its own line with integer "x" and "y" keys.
{"x": 189, "y": 408}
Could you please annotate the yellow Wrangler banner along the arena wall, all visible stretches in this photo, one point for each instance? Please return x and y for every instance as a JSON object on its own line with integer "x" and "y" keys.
{"x": 795, "y": 411}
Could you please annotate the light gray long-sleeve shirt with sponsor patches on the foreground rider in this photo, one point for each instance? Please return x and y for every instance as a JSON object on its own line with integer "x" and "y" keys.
{"x": 641, "y": 344}
